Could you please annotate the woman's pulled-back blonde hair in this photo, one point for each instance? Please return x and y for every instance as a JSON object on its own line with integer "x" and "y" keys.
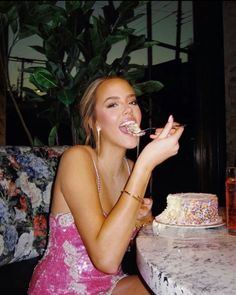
{"x": 87, "y": 110}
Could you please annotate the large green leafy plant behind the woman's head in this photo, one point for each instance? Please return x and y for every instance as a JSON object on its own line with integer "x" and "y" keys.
{"x": 76, "y": 43}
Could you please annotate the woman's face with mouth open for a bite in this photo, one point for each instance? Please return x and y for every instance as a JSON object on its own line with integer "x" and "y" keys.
{"x": 115, "y": 104}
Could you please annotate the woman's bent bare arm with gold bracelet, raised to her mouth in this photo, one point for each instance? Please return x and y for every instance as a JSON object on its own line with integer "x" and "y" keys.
{"x": 106, "y": 239}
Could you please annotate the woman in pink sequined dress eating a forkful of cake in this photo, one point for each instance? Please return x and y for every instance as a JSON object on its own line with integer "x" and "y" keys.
{"x": 98, "y": 202}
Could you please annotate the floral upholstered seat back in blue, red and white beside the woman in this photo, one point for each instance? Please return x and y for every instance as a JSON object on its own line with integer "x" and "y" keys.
{"x": 26, "y": 177}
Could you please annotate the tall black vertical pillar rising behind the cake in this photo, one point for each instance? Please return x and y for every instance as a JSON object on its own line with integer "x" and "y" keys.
{"x": 210, "y": 152}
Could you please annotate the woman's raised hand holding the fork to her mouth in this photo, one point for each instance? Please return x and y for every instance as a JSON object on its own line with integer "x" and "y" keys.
{"x": 165, "y": 144}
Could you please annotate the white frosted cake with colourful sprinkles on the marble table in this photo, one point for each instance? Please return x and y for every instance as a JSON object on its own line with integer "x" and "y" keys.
{"x": 193, "y": 209}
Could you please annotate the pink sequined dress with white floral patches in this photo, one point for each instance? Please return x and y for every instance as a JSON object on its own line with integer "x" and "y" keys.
{"x": 66, "y": 267}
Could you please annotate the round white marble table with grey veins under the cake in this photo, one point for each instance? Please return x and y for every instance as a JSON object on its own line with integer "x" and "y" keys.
{"x": 187, "y": 262}
